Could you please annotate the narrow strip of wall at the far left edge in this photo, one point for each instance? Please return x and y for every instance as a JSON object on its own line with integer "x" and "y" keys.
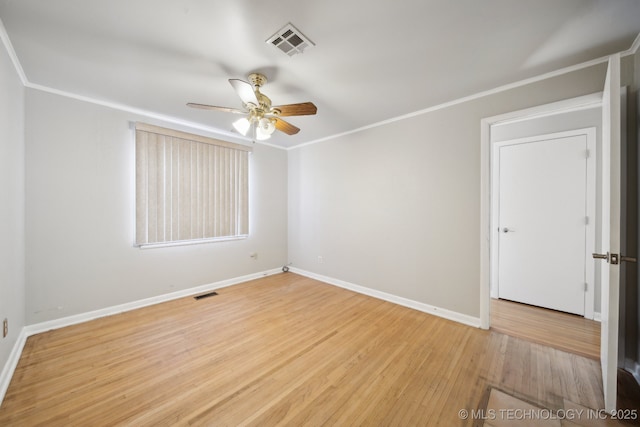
{"x": 12, "y": 170}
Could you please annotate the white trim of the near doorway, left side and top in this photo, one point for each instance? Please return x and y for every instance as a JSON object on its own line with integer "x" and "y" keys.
{"x": 575, "y": 104}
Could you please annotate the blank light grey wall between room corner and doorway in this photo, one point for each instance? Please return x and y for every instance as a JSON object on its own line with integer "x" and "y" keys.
{"x": 396, "y": 208}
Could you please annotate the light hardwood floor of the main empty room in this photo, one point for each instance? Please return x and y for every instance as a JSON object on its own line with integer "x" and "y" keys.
{"x": 283, "y": 350}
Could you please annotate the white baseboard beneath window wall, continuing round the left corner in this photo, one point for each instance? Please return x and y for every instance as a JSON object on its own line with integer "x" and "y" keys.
{"x": 29, "y": 330}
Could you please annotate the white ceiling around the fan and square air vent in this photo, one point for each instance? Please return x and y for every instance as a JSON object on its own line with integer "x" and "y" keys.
{"x": 373, "y": 60}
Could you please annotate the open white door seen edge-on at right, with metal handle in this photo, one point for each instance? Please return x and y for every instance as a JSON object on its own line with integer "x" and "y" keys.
{"x": 610, "y": 279}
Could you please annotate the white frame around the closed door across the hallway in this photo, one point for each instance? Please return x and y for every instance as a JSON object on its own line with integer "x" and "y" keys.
{"x": 590, "y": 208}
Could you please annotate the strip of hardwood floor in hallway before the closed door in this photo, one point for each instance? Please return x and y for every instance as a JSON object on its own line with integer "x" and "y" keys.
{"x": 564, "y": 331}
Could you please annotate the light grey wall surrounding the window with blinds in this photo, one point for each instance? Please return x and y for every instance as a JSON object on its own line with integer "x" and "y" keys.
{"x": 80, "y": 216}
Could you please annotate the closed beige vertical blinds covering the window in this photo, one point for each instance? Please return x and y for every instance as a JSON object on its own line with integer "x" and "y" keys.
{"x": 189, "y": 187}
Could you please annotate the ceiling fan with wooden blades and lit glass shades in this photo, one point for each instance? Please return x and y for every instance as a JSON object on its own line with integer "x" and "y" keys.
{"x": 262, "y": 119}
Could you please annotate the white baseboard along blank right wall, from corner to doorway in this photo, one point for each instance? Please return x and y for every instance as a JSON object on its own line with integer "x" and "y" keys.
{"x": 426, "y": 308}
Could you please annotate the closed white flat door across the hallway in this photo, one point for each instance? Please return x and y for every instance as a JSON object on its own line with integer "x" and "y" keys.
{"x": 543, "y": 221}
